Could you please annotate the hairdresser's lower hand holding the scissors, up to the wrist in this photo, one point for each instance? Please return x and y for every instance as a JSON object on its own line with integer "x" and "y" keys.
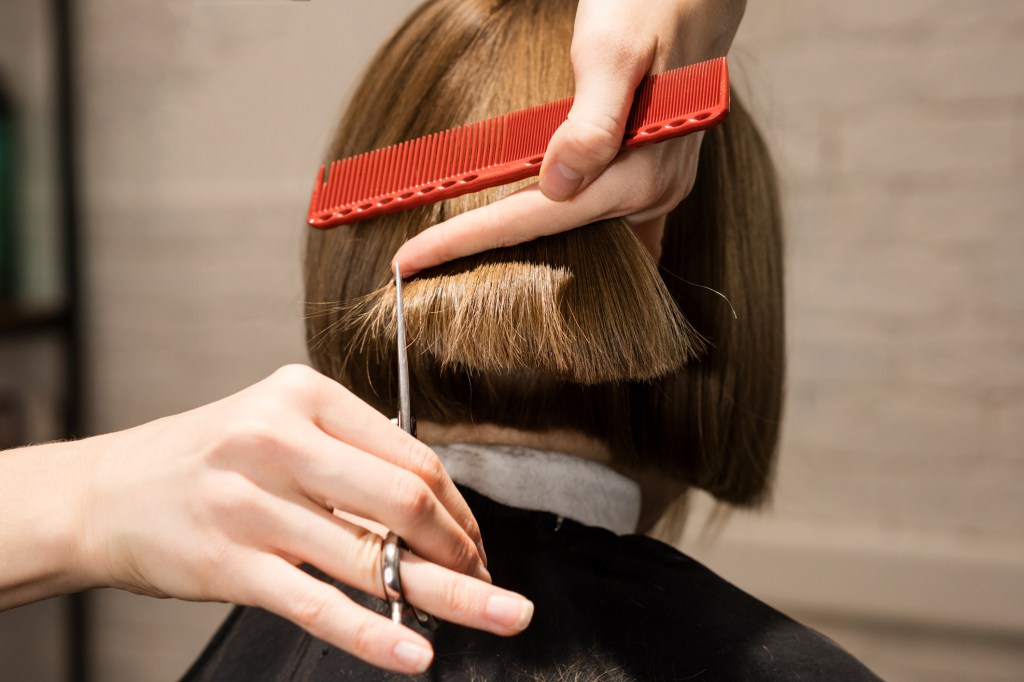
{"x": 223, "y": 503}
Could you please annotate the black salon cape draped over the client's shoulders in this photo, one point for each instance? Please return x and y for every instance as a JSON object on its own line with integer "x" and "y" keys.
{"x": 608, "y": 608}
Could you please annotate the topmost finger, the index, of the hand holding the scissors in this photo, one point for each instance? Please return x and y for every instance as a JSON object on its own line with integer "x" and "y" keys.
{"x": 348, "y": 419}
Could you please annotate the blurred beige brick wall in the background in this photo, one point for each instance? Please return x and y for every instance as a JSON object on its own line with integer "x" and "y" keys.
{"x": 899, "y": 521}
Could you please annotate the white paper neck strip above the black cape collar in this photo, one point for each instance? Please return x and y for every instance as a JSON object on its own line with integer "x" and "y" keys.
{"x": 582, "y": 490}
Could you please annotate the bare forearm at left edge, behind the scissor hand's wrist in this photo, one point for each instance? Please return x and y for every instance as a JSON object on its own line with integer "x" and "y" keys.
{"x": 41, "y": 522}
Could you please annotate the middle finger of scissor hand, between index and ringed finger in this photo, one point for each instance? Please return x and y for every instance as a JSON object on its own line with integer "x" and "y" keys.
{"x": 390, "y": 495}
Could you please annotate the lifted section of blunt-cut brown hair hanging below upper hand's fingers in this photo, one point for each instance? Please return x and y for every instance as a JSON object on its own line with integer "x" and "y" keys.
{"x": 585, "y": 307}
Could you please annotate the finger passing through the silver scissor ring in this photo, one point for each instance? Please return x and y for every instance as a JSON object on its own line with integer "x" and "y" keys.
{"x": 353, "y": 556}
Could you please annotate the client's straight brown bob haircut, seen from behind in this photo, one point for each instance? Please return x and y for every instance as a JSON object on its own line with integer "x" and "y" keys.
{"x": 576, "y": 331}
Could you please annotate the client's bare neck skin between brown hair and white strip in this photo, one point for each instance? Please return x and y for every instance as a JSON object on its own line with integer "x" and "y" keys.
{"x": 657, "y": 491}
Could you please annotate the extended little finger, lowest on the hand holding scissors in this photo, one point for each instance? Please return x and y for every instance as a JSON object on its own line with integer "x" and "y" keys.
{"x": 328, "y": 615}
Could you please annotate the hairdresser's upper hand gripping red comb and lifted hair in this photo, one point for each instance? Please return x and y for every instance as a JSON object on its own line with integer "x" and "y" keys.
{"x": 584, "y": 179}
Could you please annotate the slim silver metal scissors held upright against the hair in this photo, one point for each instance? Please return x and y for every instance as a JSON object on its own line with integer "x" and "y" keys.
{"x": 393, "y": 544}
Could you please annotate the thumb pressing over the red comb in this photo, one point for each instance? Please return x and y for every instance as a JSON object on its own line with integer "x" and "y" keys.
{"x": 592, "y": 136}
